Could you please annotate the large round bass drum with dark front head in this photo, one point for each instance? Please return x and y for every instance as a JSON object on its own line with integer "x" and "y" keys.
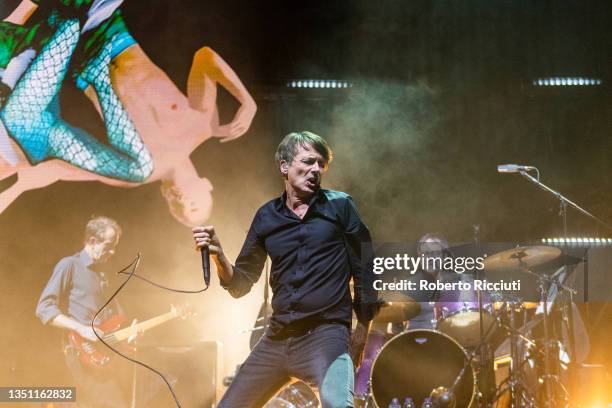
{"x": 414, "y": 363}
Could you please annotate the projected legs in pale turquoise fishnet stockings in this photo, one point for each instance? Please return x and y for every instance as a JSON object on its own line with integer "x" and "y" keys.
{"x": 42, "y": 134}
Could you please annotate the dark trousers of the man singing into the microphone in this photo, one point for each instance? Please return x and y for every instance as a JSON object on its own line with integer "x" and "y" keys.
{"x": 319, "y": 357}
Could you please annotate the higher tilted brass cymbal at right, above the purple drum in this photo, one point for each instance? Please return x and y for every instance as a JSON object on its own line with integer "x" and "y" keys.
{"x": 521, "y": 257}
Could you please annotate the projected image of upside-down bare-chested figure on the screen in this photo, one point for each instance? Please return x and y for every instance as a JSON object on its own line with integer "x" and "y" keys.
{"x": 151, "y": 126}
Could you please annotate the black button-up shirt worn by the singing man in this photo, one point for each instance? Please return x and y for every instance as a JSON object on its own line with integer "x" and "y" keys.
{"x": 313, "y": 259}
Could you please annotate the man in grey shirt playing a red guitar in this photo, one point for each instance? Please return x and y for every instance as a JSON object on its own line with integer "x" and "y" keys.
{"x": 73, "y": 295}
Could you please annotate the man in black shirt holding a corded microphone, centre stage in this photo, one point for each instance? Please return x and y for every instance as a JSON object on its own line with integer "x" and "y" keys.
{"x": 317, "y": 242}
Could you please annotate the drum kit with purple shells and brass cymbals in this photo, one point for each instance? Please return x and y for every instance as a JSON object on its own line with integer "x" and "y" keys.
{"x": 453, "y": 363}
